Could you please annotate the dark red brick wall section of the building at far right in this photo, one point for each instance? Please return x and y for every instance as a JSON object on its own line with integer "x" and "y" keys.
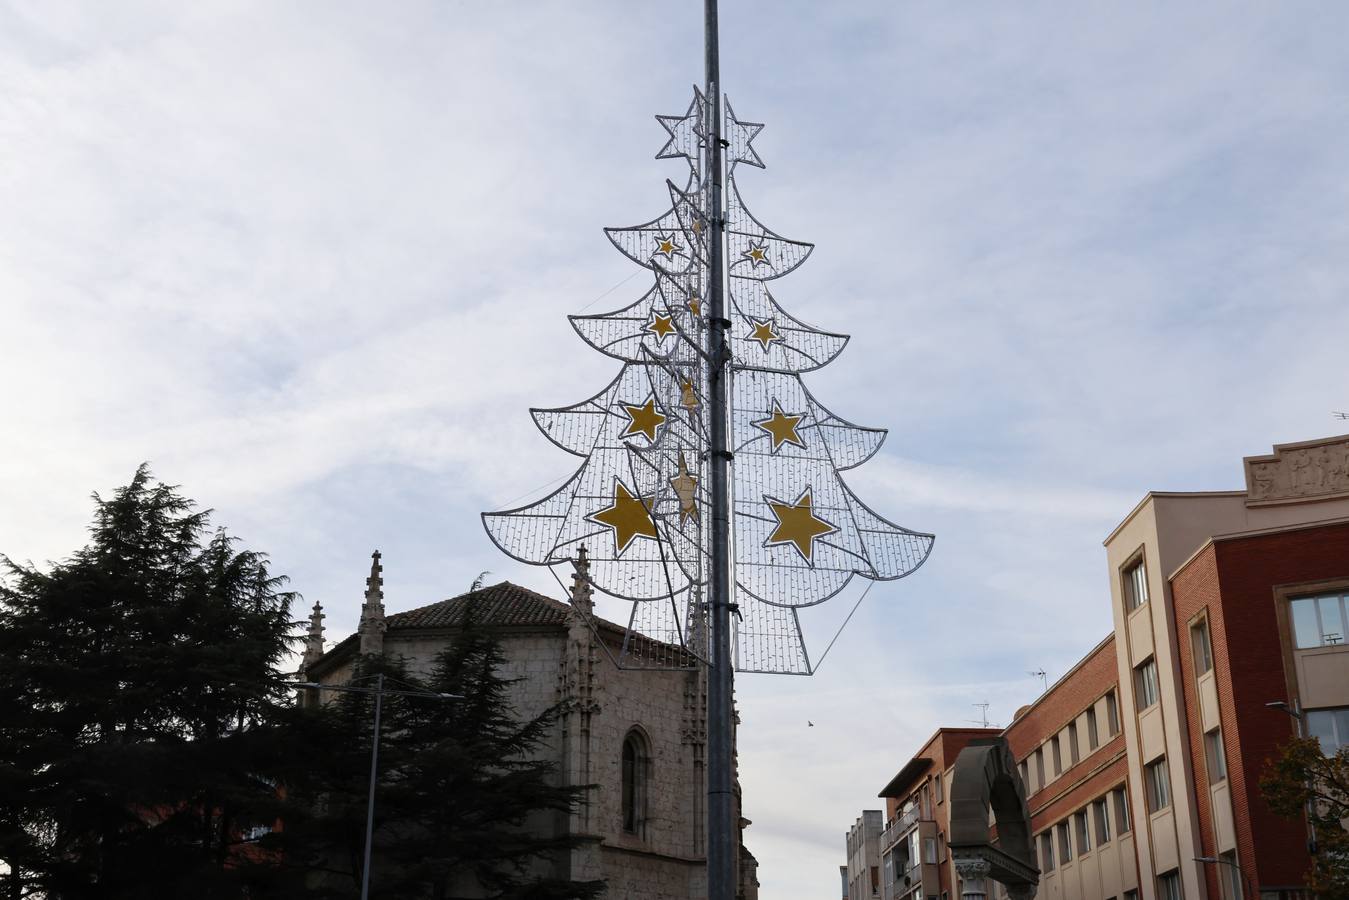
{"x": 1236, "y": 580}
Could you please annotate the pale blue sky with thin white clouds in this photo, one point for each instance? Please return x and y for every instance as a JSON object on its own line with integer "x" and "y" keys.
{"x": 314, "y": 262}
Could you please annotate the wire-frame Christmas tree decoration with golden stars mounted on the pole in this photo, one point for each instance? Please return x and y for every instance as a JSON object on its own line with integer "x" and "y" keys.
{"x": 640, "y": 503}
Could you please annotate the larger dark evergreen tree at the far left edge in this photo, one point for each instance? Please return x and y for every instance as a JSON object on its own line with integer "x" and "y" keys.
{"x": 141, "y": 705}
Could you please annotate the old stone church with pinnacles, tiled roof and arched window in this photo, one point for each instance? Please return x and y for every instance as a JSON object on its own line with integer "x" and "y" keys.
{"x": 639, "y": 739}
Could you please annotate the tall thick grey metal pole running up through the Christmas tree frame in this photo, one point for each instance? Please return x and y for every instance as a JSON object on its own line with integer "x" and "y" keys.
{"x": 721, "y": 833}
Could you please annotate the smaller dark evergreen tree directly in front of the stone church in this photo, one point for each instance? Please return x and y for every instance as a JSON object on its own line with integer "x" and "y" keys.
{"x": 465, "y": 806}
